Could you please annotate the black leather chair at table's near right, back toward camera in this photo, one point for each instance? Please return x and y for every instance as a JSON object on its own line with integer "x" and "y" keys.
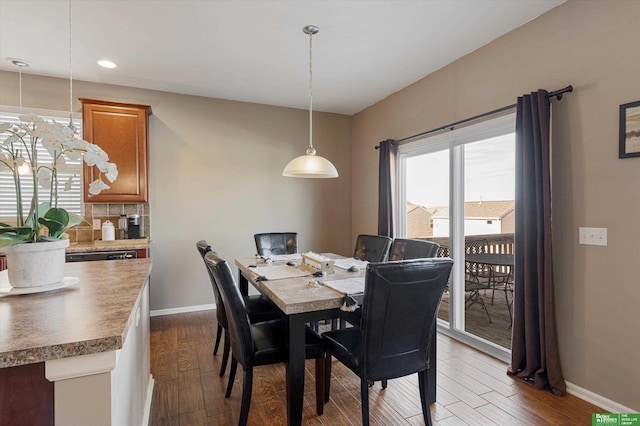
{"x": 399, "y": 314}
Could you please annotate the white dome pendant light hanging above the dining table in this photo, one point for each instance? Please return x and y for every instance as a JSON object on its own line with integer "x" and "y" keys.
{"x": 310, "y": 165}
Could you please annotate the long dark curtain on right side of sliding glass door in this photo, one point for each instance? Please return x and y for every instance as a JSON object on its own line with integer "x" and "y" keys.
{"x": 534, "y": 352}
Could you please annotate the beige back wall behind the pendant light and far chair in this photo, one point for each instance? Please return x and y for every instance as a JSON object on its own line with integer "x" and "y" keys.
{"x": 216, "y": 174}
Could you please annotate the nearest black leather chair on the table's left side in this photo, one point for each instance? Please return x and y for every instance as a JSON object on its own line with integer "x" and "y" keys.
{"x": 262, "y": 343}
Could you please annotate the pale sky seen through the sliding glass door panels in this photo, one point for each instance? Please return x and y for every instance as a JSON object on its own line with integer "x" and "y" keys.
{"x": 489, "y": 173}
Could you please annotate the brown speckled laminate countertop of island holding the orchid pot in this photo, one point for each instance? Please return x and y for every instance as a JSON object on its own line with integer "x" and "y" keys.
{"x": 91, "y": 316}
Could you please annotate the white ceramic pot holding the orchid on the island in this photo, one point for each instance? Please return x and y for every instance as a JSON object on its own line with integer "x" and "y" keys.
{"x": 36, "y": 264}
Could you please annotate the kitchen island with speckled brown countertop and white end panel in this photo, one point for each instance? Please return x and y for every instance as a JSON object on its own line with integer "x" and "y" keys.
{"x": 78, "y": 355}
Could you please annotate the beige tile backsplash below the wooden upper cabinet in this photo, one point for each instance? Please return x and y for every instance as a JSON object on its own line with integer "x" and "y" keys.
{"x": 84, "y": 232}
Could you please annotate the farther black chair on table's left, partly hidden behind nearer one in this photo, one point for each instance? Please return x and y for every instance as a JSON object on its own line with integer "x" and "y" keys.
{"x": 258, "y": 308}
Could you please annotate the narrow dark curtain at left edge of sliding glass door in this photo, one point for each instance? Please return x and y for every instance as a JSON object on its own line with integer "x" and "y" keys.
{"x": 386, "y": 187}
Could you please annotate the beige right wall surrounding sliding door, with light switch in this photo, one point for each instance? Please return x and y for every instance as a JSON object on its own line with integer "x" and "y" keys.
{"x": 592, "y": 45}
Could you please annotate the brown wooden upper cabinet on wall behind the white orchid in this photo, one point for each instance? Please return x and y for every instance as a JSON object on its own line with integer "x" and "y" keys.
{"x": 122, "y": 131}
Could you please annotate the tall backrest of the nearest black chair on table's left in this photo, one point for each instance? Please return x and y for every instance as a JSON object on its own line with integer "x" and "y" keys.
{"x": 242, "y": 345}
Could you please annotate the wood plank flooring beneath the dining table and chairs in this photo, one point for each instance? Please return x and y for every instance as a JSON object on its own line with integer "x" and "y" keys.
{"x": 473, "y": 388}
